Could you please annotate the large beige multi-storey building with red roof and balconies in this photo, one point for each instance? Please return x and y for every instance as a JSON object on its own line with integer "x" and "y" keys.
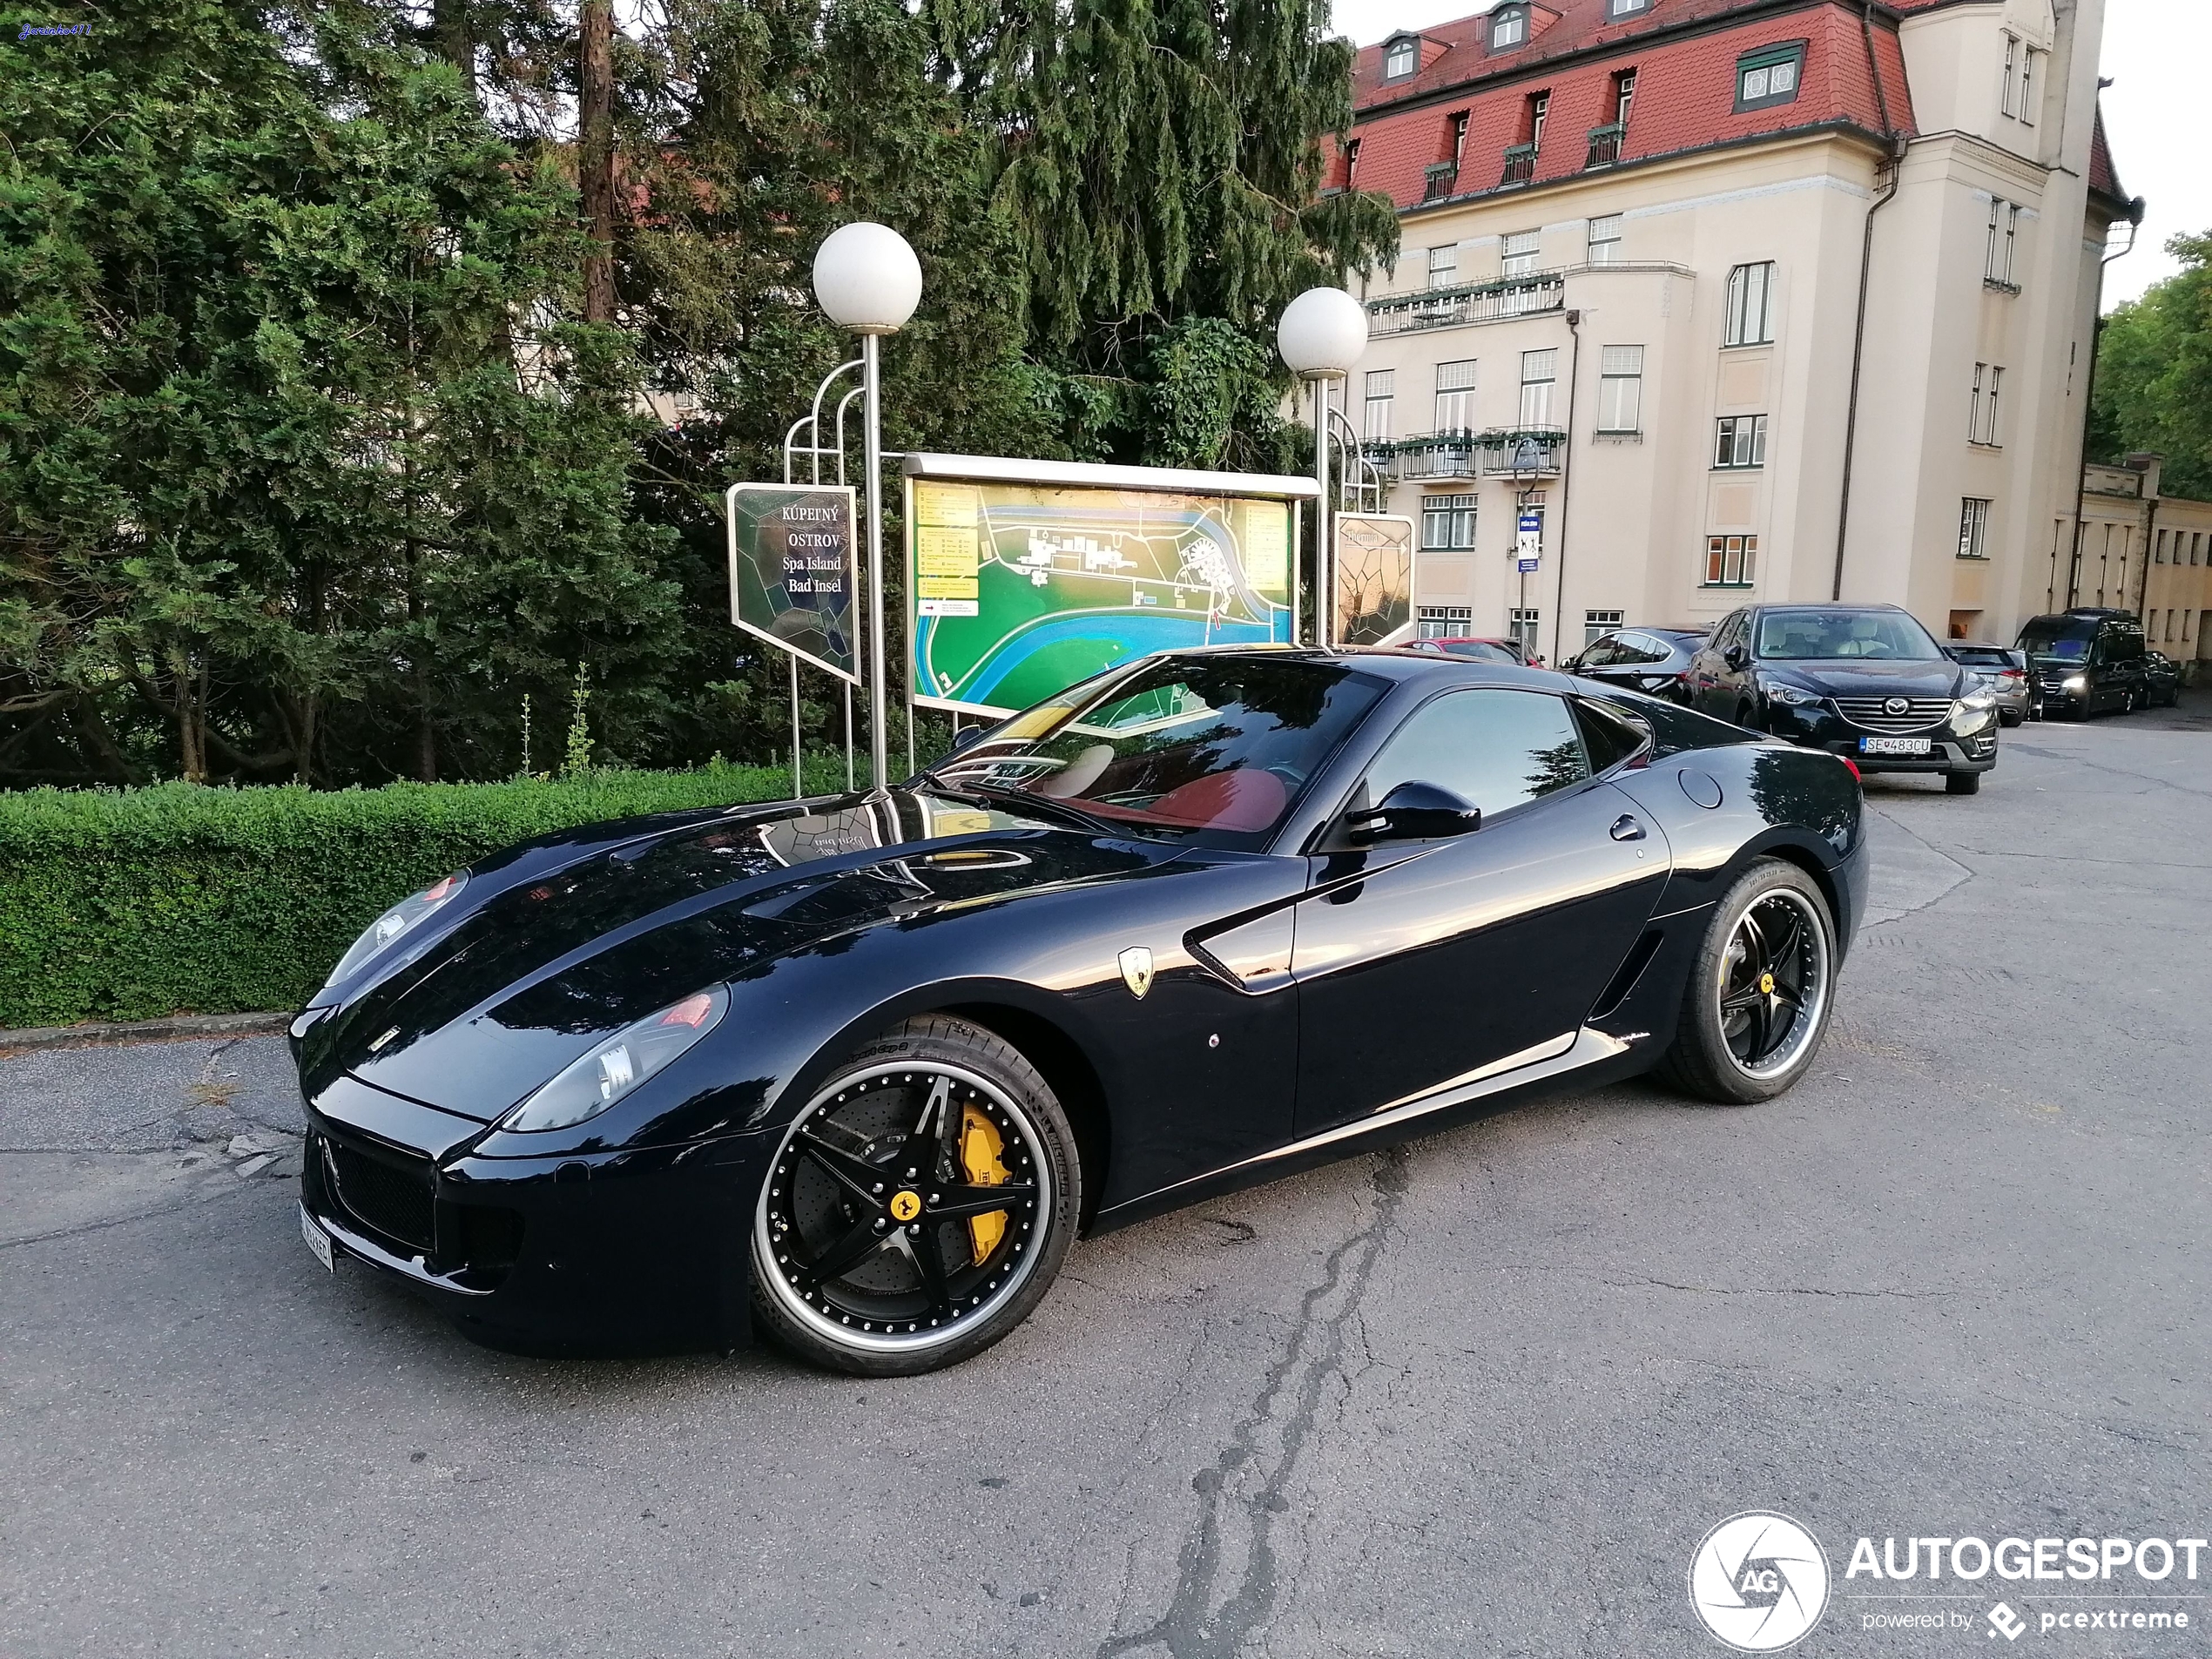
{"x": 1746, "y": 300}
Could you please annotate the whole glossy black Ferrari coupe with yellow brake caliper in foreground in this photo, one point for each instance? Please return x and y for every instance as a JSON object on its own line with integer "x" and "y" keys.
{"x": 859, "y": 1070}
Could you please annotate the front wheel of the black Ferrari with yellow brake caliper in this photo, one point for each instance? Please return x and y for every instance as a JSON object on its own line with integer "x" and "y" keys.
{"x": 919, "y": 1207}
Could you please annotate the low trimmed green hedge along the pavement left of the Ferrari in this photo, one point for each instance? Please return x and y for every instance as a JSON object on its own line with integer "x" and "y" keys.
{"x": 180, "y": 899}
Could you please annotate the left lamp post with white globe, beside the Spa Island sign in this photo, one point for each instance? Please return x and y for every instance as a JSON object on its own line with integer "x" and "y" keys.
{"x": 868, "y": 280}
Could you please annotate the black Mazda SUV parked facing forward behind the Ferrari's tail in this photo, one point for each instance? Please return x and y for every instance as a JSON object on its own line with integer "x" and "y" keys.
{"x": 1859, "y": 680}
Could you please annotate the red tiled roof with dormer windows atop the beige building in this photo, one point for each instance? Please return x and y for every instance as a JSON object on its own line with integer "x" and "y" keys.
{"x": 1684, "y": 101}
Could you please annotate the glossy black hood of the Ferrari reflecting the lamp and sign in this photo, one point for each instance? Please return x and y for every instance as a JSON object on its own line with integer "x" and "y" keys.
{"x": 550, "y": 968}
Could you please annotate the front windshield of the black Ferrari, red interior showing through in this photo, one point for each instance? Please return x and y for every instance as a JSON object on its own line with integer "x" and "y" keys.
{"x": 1213, "y": 749}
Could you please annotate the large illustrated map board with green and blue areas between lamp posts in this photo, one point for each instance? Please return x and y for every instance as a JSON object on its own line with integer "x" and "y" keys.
{"x": 1032, "y": 576}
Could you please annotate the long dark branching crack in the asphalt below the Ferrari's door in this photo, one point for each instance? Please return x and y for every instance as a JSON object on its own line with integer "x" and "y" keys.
{"x": 1315, "y": 1353}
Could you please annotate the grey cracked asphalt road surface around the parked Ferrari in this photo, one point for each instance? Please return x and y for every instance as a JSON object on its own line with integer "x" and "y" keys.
{"x": 1477, "y": 1397}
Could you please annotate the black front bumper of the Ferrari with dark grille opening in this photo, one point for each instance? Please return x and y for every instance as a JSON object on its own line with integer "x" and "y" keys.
{"x": 589, "y": 1253}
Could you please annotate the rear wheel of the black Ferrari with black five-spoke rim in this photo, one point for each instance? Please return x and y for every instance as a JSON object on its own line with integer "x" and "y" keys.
{"x": 1760, "y": 992}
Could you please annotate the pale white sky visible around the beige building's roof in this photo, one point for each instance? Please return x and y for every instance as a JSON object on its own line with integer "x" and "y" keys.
{"x": 2153, "y": 54}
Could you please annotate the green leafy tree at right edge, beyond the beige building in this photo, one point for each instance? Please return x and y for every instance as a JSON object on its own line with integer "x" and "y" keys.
{"x": 2156, "y": 375}
